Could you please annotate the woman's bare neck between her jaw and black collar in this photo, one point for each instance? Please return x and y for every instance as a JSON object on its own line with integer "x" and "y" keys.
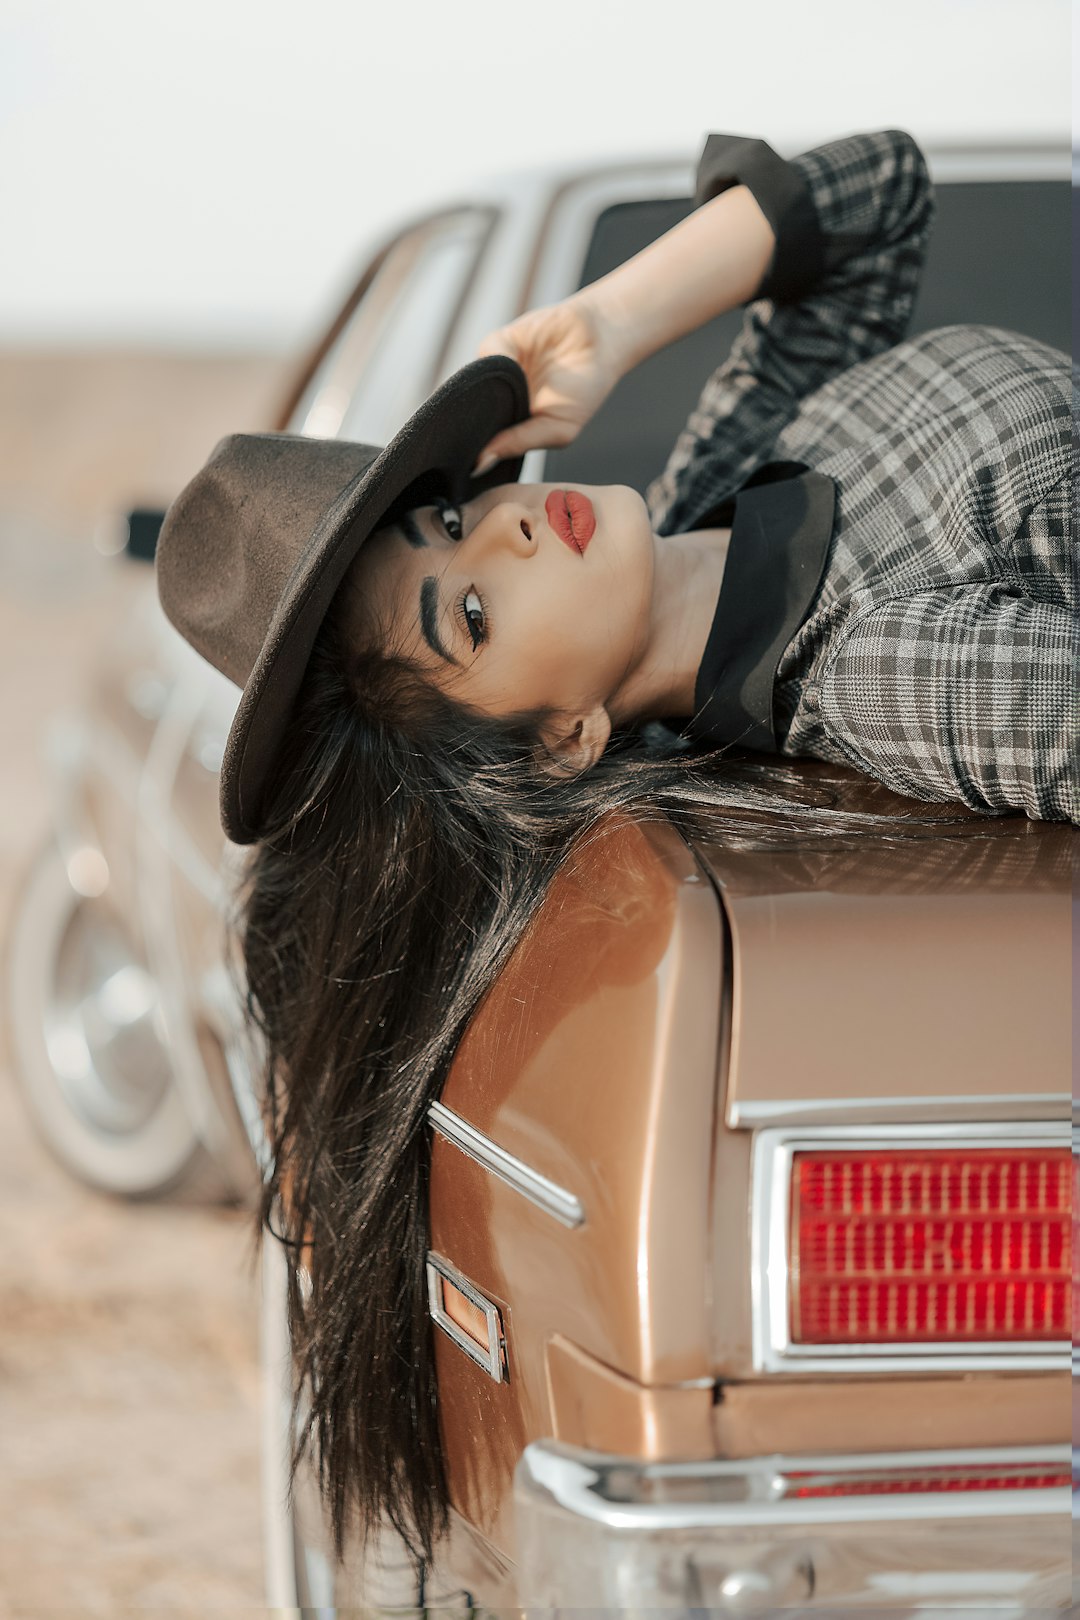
{"x": 686, "y": 589}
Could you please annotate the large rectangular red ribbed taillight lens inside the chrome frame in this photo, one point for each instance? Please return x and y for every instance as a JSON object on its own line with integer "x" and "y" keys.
{"x": 925, "y": 1247}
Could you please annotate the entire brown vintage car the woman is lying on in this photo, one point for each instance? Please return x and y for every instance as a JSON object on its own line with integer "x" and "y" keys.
{"x": 752, "y": 1180}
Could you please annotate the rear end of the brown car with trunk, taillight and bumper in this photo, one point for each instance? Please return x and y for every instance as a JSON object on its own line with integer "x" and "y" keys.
{"x": 765, "y": 1203}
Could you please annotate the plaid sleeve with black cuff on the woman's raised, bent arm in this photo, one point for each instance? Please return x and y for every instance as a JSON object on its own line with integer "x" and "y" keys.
{"x": 853, "y": 221}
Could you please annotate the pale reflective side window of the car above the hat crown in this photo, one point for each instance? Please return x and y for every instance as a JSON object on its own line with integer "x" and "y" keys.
{"x": 385, "y": 362}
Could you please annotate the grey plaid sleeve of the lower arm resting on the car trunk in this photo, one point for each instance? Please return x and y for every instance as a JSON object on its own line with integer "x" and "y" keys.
{"x": 963, "y": 694}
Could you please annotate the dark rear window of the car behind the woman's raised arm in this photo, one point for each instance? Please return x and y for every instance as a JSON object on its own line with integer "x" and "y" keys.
{"x": 1001, "y": 254}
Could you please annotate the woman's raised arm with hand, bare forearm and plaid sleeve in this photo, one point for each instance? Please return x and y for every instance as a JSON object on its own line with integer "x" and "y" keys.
{"x": 827, "y": 252}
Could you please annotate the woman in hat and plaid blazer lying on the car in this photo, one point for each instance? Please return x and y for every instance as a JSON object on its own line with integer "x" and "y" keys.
{"x": 861, "y": 550}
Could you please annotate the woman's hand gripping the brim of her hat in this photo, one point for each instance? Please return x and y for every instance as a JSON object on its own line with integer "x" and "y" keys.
{"x": 572, "y": 362}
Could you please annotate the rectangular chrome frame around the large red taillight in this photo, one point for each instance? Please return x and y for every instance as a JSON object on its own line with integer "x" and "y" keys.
{"x": 772, "y": 1169}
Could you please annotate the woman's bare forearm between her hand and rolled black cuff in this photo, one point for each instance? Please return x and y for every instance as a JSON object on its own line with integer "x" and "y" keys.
{"x": 712, "y": 262}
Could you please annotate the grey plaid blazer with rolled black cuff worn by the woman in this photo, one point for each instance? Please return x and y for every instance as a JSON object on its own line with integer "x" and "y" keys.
{"x": 942, "y": 649}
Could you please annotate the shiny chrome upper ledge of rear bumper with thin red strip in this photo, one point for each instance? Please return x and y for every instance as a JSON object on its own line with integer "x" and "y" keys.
{"x": 742, "y": 1494}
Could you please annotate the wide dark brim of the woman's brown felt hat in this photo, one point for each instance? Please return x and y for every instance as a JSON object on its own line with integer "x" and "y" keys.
{"x": 435, "y": 451}
